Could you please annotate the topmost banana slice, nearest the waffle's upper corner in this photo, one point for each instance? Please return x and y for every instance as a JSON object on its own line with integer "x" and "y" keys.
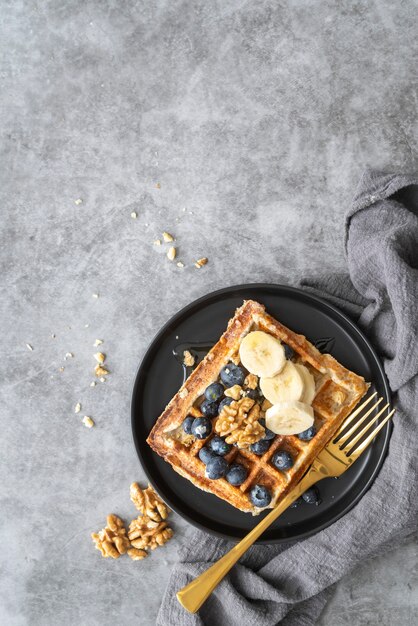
{"x": 262, "y": 354}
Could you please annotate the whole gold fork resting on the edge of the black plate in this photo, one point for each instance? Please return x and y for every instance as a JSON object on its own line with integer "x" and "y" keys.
{"x": 337, "y": 456}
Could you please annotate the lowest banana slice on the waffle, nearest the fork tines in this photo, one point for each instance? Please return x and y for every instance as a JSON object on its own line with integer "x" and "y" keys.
{"x": 289, "y": 418}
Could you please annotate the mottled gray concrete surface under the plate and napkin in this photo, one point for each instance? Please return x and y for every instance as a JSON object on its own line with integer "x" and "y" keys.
{"x": 257, "y": 119}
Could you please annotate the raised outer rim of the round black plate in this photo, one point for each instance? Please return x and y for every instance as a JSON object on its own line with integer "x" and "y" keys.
{"x": 293, "y": 290}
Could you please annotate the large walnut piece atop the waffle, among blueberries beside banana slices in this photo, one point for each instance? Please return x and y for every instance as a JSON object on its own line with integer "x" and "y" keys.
{"x": 238, "y": 423}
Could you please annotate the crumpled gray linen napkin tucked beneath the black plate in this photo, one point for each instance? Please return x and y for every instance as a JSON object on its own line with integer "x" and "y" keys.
{"x": 290, "y": 584}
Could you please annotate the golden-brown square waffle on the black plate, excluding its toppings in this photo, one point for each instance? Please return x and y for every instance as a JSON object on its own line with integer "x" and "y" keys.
{"x": 337, "y": 391}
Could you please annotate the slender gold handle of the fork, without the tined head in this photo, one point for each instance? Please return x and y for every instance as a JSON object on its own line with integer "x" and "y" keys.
{"x": 193, "y": 595}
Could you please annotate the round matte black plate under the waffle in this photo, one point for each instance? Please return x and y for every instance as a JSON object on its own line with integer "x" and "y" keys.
{"x": 161, "y": 374}
